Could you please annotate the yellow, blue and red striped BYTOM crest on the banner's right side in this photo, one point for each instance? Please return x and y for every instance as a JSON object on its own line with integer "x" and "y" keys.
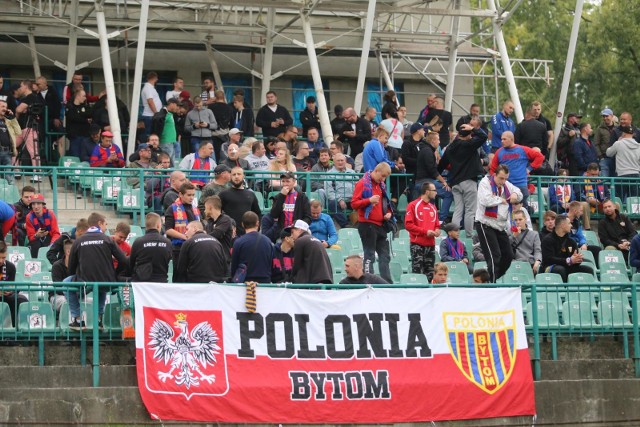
{"x": 483, "y": 345}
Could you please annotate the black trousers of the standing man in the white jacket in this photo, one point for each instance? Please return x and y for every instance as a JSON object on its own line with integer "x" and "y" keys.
{"x": 496, "y": 249}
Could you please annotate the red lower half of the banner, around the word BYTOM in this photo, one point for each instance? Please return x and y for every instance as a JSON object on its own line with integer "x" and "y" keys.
{"x": 260, "y": 391}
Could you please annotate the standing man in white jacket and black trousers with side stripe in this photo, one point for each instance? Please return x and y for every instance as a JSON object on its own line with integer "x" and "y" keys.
{"x": 495, "y": 194}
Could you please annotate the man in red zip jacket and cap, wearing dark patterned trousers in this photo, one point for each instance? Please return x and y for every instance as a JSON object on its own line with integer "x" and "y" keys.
{"x": 421, "y": 221}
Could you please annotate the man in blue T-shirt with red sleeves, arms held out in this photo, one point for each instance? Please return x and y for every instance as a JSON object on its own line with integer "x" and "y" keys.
{"x": 520, "y": 161}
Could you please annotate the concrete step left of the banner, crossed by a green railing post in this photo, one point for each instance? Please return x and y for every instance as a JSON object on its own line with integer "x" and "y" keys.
{"x": 65, "y": 376}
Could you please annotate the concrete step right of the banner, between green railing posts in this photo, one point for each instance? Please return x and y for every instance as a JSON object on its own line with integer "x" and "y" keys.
{"x": 587, "y": 369}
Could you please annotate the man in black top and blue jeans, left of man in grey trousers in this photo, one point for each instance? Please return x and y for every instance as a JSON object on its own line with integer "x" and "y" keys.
{"x": 427, "y": 171}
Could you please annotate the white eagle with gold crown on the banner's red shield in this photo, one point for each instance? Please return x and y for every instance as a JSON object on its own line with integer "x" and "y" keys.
{"x": 187, "y": 352}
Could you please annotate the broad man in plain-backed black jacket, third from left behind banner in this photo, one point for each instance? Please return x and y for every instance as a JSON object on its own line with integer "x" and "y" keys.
{"x": 202, "y": 258}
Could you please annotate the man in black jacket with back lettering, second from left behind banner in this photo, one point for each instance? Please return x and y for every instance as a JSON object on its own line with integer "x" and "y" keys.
{"x": 151, "y": 253}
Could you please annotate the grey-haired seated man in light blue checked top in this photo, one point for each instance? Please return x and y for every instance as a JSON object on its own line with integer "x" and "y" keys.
{"x": 339, "y": 190}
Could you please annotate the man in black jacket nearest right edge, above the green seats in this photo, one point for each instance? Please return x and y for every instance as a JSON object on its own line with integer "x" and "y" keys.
{"x": 616, "y": 230}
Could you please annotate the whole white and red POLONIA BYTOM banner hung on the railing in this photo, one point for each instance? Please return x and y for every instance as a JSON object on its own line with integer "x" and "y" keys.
{"x": 331, "y": 356}
